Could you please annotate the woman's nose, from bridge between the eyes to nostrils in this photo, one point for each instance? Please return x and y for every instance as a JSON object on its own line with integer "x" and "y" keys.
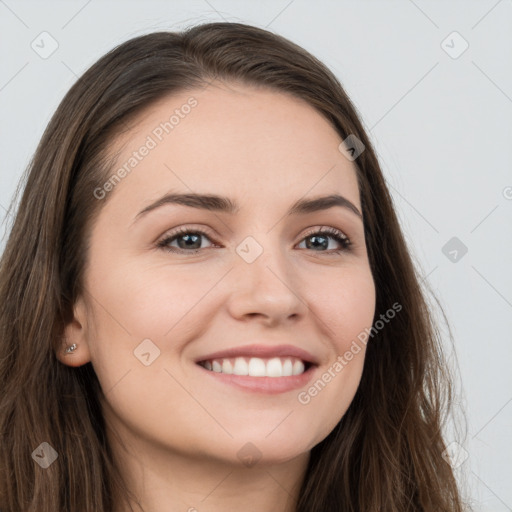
{"x": 267, "y": 289}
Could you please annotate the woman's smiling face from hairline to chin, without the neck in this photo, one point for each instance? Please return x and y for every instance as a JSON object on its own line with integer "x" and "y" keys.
{"x": 219, "y": 332}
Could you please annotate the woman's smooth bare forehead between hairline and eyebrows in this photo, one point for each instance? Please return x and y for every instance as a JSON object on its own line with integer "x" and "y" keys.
{"x": 258, "y": 142}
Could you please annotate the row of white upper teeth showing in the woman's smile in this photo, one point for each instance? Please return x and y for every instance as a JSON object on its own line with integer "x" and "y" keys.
{"x": 257, "y": 367}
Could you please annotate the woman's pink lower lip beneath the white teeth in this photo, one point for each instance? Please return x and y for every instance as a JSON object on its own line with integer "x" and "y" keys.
{"x": 268, "y": 385}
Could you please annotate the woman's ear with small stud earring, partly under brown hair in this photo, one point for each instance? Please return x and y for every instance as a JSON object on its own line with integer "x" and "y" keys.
{"x": 75, "y": 333}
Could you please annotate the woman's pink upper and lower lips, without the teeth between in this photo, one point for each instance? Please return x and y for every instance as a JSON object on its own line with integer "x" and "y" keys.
{"x": 267, "y": 385}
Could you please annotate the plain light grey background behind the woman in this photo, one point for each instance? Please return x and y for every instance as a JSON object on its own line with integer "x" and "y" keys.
{"x": 441, "y": 125}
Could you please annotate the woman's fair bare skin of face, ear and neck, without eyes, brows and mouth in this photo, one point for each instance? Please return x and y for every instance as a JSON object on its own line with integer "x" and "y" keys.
{"x": 182, "y": 429}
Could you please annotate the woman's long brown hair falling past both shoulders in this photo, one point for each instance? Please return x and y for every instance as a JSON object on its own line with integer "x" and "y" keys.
{"x": 386, "y": 453}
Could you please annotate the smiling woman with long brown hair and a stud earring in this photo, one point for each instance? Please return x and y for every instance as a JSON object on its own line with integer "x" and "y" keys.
{"x": 206, "y": 300}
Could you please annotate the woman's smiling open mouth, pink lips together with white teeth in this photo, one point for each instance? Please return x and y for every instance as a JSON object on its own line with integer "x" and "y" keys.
{"x": 260, "y": 368}
